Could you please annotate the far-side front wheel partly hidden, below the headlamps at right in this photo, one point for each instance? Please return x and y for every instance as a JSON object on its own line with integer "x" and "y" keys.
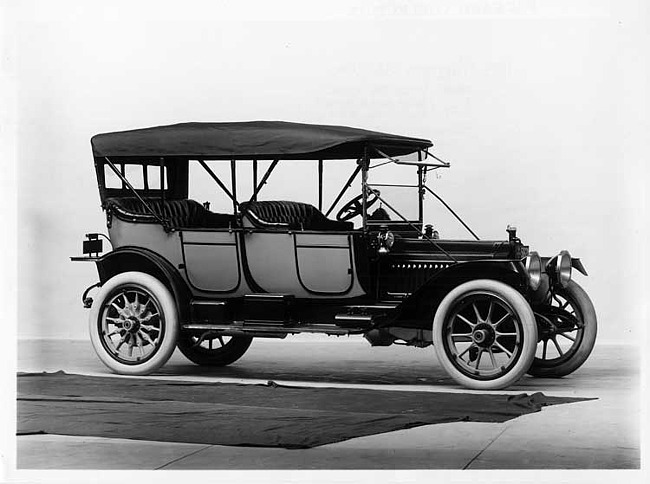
{"x": 567, "y": 330}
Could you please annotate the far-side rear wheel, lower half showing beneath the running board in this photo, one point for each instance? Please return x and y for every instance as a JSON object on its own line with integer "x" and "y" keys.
{"x": 213, "y": 349}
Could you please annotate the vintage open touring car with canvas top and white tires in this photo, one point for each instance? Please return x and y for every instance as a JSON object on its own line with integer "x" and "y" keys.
{"x": 181, "y": 275}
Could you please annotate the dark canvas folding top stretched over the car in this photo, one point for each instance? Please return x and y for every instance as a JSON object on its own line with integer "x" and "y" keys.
{"x": 251, "y": 140}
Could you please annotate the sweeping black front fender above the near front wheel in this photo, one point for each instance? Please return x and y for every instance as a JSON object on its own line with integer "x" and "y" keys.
{"x": 419, "y": 308}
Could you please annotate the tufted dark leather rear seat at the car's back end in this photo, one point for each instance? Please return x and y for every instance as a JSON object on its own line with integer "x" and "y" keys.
{"x": 179, "y": 213}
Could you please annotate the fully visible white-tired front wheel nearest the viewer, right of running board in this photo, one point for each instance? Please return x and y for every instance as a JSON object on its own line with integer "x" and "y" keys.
{"x": 485, "y": 335}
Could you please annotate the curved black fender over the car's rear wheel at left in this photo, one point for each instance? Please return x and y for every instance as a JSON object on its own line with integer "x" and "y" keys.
{"x": 126, "y": 259}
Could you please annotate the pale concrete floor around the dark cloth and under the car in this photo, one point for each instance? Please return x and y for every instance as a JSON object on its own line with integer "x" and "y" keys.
{"x": 598, "y": 434}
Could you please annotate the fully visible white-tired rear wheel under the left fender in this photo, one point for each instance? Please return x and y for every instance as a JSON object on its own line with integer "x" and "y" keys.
{"x": 133, "y": 324}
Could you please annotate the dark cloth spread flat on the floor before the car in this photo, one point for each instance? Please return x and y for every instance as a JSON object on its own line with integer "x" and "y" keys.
{"x": 244, "y": 415}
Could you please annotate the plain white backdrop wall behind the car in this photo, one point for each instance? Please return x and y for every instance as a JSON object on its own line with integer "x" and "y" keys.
{"x": 540, "y": 106}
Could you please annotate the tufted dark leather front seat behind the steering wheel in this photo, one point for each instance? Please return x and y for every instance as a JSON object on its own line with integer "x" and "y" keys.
{"x": 292, "y": 215}
